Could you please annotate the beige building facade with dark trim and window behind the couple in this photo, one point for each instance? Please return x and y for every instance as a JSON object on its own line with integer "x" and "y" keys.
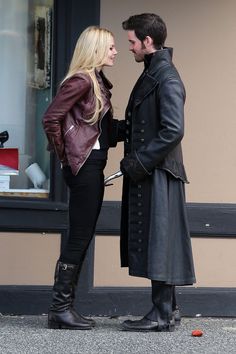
{"x": 37, "y": 39}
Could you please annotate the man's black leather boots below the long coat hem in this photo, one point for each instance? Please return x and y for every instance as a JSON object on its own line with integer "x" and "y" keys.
{"x": 160, "y": 317}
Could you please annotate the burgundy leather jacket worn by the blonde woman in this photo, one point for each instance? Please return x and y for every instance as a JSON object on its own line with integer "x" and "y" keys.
{"x": 65, "y": 124}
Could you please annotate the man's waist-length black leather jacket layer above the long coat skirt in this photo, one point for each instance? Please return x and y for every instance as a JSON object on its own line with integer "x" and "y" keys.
{"x": 157, "y": 108}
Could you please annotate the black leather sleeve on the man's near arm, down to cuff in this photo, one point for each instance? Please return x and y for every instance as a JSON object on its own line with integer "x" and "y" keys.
{"x": 149, "y": 155}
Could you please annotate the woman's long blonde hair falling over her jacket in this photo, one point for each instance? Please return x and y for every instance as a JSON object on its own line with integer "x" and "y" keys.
{"x": 90, "y": 53}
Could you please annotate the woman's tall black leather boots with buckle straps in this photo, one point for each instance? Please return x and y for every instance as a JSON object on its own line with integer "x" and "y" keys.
{"x": 61, "y": 314}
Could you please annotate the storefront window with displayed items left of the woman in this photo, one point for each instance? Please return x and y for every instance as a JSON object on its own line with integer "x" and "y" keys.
{"x": 25, "y": 92}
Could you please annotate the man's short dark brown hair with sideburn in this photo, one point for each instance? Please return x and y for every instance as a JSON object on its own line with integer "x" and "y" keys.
{"x": 147, "y": 24}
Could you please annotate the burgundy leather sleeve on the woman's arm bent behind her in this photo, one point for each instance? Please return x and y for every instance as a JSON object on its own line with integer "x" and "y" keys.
{"x": 71, "y": 91}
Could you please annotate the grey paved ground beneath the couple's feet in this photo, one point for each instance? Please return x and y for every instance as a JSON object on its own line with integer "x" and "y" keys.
{"x": 29, "y": 334}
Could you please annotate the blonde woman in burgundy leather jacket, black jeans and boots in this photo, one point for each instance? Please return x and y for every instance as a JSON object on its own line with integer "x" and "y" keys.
{"x": 80, "y": 128}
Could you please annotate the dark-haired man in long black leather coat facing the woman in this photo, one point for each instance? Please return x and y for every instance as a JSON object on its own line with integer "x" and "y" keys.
{"x": 155, "y": 240}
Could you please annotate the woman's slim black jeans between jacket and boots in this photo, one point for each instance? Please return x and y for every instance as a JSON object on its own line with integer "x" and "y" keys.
{"x": 86, "y": 196}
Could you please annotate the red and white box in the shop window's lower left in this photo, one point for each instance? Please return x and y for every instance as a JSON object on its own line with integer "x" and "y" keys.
{"x": 9, "y": 161}
